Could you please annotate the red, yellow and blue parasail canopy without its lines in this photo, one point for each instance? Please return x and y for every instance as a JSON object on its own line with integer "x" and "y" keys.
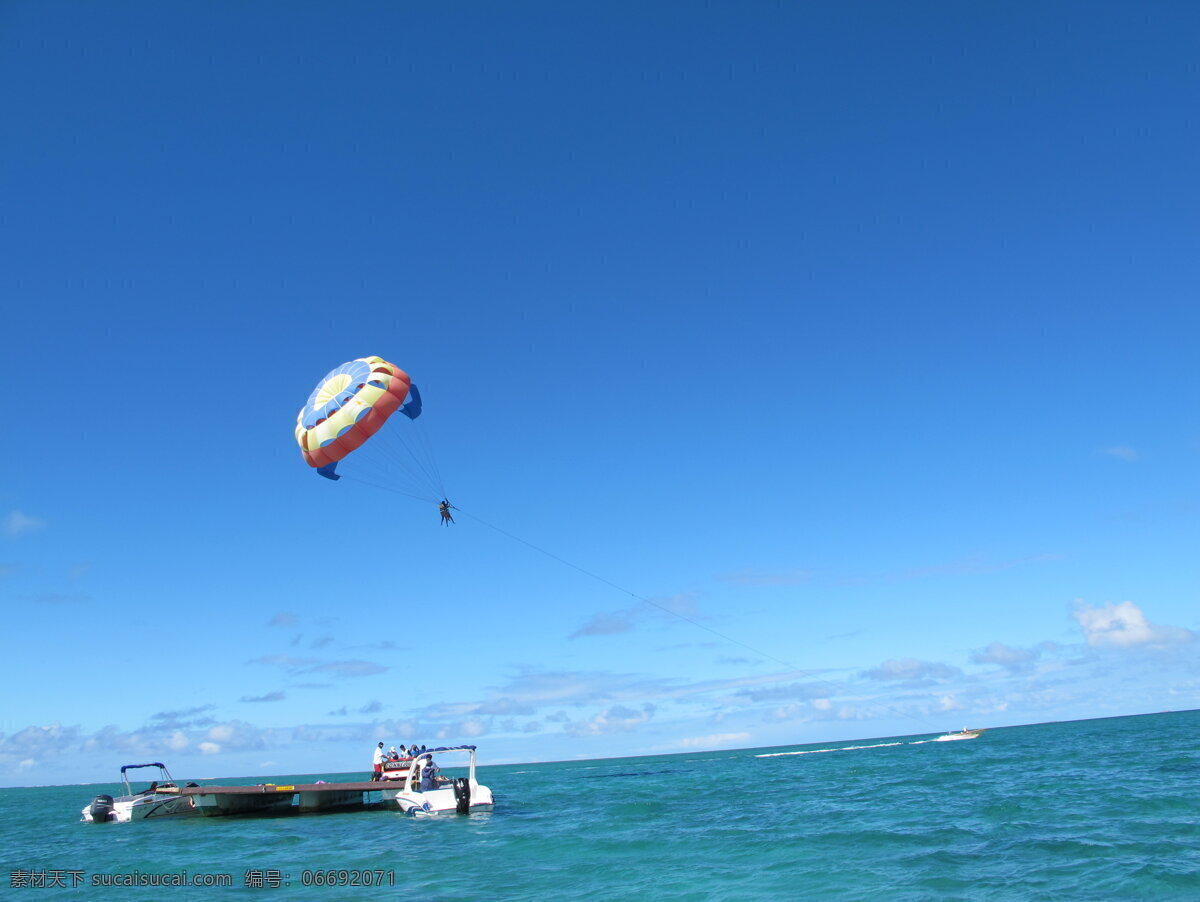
{"x": 349, "y": 407}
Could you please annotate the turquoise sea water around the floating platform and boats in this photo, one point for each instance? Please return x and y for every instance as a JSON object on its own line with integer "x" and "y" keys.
{"x": 1091, "y": 810}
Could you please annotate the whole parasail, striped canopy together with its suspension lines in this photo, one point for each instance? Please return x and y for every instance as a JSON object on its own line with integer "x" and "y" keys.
{"x": 345, "y": 412}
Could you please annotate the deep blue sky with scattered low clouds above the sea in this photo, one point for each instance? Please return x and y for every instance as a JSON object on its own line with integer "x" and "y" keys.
{"x": 862, "y": 335}
